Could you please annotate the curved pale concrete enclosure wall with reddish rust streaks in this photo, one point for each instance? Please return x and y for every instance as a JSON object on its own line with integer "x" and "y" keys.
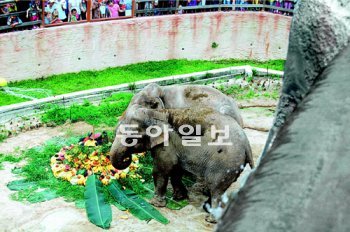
{"x": 240, "y": 35}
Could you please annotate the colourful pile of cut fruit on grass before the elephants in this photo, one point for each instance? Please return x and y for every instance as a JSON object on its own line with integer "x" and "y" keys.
{"x": 76, "y": 162}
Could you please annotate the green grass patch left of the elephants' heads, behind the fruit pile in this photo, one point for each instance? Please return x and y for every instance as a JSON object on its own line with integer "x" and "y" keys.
{"x": 105, "y": 113}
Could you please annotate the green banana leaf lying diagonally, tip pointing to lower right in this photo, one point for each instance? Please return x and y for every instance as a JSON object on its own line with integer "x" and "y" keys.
{"x": 136, "y": 205}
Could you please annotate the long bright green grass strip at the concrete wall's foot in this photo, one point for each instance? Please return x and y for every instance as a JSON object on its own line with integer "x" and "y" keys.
{"x": 72, "y": 82}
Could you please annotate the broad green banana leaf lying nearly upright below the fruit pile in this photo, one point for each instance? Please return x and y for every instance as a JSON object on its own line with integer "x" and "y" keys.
{"x": 98, "y": 211}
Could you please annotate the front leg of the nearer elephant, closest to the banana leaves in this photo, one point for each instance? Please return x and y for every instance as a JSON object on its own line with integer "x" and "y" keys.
{"x": 160, "y": 184}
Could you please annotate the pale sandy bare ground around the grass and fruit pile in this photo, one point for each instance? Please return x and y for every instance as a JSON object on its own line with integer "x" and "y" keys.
{"x": 58, "y": 215}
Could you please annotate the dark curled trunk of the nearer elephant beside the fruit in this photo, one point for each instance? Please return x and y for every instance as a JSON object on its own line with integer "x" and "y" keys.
{"x": 120, "y": 158}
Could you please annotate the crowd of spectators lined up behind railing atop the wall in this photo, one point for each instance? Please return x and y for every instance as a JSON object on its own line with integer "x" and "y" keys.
{"x": 14, "y": 13}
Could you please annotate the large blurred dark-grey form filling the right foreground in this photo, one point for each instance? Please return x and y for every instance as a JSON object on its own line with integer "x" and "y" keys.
{"x": 302, "y": 181}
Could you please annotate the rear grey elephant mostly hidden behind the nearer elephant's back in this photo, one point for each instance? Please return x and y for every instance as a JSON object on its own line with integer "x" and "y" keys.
{"x": 154, "y": 96}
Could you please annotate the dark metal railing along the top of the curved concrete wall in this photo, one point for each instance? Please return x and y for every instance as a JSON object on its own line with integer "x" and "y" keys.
{"x": 137, "y": 8}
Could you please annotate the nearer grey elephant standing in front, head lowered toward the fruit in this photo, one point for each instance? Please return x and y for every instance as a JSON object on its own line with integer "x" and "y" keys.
{"x": 218, "y": 165}
